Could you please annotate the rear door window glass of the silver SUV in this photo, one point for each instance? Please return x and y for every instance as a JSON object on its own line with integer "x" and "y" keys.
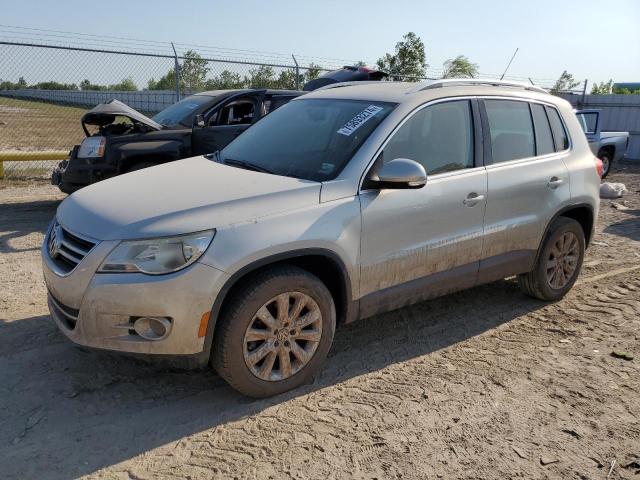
{"x": 511, "y": 130}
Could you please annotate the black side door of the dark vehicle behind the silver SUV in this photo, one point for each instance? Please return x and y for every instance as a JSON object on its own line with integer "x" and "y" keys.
{"x": 226, "y": 121}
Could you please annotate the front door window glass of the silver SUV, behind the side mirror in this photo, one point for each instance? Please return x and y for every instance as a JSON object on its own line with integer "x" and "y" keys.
{"x": 440, "y": 137}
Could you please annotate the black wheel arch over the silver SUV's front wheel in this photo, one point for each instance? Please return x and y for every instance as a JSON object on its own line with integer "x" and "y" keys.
{"x": 323, "y": 263}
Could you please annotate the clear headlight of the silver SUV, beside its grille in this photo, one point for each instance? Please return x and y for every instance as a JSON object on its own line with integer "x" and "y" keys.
{"x": 157, "y": 256}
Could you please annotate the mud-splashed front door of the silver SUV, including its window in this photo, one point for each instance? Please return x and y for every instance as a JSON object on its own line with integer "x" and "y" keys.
{"x": 417, "y": 244}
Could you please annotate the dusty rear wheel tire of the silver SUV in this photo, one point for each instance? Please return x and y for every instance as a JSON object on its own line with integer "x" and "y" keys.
{"x": 536, "y": 283}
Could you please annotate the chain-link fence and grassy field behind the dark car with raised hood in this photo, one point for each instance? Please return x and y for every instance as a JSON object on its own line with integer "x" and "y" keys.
{"x": 45, "y": 88}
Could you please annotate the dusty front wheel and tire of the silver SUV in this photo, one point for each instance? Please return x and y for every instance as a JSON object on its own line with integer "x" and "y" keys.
{"x": 234, "y": 351}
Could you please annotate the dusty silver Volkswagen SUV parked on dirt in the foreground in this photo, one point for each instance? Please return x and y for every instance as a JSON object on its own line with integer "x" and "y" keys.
{"x": 344, "y": 203}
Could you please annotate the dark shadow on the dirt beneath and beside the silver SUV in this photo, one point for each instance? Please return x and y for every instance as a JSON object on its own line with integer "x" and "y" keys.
{"x": 67, "y": 412}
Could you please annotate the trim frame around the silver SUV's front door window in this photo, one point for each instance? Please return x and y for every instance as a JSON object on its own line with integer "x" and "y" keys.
{"x": 478, "y": 156}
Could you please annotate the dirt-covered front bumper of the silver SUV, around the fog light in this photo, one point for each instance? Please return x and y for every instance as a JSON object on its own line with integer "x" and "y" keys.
{"x": 97, "y": 310}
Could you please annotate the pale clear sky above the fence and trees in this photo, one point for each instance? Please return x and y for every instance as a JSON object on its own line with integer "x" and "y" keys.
{"x": 586, "y": 37}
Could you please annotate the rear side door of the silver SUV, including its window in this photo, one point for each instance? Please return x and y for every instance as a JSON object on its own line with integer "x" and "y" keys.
{"x": 528, "y": 182}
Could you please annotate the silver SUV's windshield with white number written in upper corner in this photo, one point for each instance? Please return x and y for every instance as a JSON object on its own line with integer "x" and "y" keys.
{"x": 310, "y": 139}
